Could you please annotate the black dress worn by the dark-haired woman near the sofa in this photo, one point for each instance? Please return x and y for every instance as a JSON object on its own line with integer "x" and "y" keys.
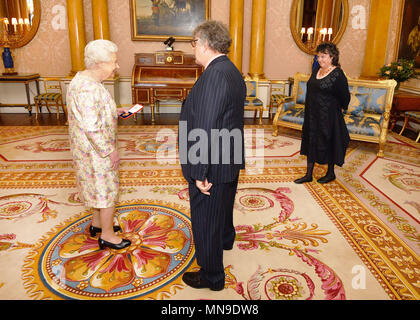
{"x": 324, "y": 133}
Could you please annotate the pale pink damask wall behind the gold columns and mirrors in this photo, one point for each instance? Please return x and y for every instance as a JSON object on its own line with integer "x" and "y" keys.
{"x": 49, "y": 52}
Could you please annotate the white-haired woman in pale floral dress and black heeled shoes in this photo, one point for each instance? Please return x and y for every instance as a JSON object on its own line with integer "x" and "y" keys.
{"x": 93, "y": 140}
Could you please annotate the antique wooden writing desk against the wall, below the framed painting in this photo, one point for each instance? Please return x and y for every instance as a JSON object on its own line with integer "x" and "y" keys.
{"x": 163, "y": 75}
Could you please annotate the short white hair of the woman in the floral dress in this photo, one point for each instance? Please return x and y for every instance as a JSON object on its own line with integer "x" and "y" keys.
{"x": 97, "y": 51}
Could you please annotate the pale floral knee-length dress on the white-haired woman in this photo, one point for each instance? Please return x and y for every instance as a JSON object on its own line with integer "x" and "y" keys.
{"x": 93, "y": 136}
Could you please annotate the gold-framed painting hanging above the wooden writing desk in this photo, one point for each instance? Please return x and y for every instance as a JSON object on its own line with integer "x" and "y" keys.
{"x": 156, "y": 20}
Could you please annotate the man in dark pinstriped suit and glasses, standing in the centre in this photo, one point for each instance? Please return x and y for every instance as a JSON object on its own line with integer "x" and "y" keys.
{"x": 211, "y": 148}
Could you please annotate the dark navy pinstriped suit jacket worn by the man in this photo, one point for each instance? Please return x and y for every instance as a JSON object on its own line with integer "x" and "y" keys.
{"x": 215, "y": 102}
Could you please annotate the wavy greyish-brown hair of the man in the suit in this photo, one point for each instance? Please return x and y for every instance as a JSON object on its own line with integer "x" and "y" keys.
{"x": 216, "y": 34}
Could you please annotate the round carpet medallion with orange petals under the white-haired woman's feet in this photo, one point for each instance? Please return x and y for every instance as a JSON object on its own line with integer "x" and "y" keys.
{"x": 73, "y": 267}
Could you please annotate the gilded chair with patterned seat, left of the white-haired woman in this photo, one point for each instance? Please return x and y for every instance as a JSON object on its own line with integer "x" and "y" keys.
{"x": 53, "y": 97}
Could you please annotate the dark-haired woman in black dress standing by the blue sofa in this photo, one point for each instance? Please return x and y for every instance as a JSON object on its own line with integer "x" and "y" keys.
{"x": 324, "y": 133}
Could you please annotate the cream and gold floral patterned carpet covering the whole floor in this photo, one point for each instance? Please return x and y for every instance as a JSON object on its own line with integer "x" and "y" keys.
{"x": 355, "y": 238}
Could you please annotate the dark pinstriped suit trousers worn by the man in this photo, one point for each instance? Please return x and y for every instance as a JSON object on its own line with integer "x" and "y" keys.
{"x": 213, "y": 229}
